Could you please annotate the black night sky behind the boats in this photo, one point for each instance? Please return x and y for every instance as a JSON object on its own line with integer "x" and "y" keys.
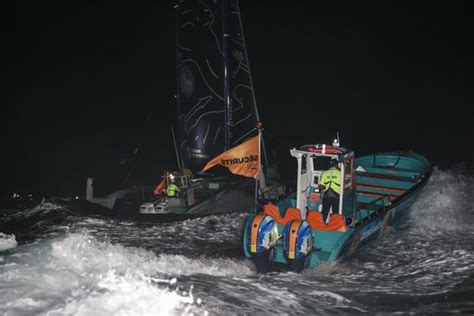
{"x": 80, "y": 78}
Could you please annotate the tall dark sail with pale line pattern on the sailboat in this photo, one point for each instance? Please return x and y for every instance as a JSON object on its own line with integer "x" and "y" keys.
{"x": 209, "y": 122}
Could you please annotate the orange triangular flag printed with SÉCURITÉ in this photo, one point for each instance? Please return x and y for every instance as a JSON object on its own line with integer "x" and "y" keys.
{"x": 243, "y": 159}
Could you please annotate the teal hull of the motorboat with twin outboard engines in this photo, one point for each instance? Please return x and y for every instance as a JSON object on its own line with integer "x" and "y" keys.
{"x": 387, "y": 184}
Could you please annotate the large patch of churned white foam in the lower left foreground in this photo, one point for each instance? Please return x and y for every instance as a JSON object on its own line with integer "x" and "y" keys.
{"x": 82, "y": 276}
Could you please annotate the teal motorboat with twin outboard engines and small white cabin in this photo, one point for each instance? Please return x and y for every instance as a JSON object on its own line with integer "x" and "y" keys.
{"x": 376, "y": 190}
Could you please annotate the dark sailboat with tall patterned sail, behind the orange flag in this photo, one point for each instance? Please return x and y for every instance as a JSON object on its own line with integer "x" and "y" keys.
{"x": 216, "y": 111}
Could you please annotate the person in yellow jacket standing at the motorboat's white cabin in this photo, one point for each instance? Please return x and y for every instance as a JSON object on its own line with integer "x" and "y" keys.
{"x": 331, "y": 184}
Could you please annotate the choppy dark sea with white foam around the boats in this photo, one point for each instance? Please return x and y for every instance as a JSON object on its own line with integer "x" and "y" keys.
{"x": 58, "y": 259}
